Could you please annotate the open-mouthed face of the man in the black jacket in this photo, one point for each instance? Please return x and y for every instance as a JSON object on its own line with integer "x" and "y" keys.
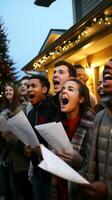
{"x": 36, "y": 92}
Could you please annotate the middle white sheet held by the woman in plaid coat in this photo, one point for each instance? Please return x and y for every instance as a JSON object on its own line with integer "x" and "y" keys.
{"x": 56, "y": 136}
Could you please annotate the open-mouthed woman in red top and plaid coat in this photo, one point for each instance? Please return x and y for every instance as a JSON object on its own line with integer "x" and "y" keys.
{"x": 77, "y": 120}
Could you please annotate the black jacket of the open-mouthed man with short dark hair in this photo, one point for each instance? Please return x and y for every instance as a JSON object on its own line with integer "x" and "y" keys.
{"x": 42, "y": 113}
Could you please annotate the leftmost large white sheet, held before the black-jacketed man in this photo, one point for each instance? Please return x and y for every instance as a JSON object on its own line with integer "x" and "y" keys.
{"x": 20, "y": 126}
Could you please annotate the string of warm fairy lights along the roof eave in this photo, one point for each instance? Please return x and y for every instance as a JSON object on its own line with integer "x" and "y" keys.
{"x": 66, "y": 45}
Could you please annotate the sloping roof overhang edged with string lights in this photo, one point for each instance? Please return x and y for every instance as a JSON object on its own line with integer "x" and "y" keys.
{"x": 93, "y": 27}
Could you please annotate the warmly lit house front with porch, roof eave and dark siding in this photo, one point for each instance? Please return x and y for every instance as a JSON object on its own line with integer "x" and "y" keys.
{"x": 87, "y": 42}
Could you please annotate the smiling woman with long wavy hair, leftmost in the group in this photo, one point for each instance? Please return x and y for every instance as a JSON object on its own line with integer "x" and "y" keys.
{"x": 15, "y": 171}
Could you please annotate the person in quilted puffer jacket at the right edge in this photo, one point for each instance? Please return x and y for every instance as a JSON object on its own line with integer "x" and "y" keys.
{"x": 100, "y": 167}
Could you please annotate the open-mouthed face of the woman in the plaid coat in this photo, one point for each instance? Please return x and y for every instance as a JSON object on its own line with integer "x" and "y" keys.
{"x": 70, "y": 98}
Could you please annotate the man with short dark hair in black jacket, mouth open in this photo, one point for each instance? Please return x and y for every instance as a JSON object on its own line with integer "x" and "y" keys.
{"x": 43, "y": 111}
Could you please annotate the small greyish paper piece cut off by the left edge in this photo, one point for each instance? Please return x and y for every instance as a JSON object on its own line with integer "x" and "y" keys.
{"x": 3, "y": 124}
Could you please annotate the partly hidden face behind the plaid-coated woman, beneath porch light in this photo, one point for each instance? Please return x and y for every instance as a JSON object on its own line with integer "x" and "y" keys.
{"x": 81, "y": 75}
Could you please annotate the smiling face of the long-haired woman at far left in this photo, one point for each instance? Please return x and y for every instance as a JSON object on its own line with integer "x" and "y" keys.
{"x": 9, "y": 93}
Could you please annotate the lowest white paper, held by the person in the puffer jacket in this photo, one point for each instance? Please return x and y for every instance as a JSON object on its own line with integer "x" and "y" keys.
{"x": 58, "y": 167}
